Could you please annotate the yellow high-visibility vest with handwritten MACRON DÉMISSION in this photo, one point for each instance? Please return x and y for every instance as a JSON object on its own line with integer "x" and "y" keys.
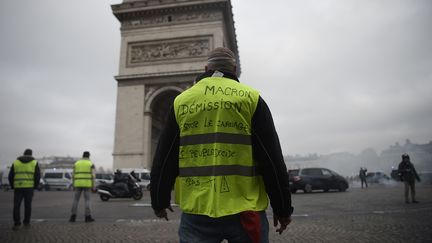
{"x": 217, "y": 173}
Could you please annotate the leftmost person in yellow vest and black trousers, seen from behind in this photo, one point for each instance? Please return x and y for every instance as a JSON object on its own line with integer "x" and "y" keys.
{"x": 24, "y": 176}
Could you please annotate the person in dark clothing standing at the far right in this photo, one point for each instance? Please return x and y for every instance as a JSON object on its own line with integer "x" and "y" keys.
{"x": 408, "y": 175}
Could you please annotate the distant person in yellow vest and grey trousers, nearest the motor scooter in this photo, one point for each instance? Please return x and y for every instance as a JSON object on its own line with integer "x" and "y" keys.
{"x": 83, "y": 182}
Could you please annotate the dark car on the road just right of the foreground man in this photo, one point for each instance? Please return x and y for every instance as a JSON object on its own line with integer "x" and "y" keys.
{"x": 309, "y": 179}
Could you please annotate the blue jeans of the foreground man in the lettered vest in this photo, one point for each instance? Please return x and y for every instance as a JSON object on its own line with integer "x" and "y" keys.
{"x": 201, "y": 228}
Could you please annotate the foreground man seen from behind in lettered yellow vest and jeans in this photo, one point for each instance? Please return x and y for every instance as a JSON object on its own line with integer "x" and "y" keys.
{"x": 220, "y": 148}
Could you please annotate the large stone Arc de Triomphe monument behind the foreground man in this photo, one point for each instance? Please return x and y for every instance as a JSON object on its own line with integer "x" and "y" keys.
{"x": 164, "y": 44}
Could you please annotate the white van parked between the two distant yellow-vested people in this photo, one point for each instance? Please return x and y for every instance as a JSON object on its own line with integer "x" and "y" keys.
{"x": 59, "y": 179}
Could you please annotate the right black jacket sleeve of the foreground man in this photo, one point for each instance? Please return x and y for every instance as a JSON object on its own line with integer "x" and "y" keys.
{"x": 268, "y": 153}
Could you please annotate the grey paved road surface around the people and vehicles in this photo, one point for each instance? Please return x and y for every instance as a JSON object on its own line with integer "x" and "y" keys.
{"x": 376, "y": 214}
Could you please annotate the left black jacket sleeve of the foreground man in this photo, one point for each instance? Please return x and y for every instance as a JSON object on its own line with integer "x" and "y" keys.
{"x": 165, "y": 164}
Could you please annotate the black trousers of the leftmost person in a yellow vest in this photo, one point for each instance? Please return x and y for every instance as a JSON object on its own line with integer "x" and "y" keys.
{"x": 19, "y": 195}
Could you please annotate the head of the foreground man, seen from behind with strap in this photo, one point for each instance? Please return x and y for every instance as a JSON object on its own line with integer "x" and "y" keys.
{"x": 221, "y": 59}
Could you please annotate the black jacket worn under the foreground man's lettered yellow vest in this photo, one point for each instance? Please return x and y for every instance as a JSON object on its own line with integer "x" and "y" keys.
{"x": 266, "y": 150}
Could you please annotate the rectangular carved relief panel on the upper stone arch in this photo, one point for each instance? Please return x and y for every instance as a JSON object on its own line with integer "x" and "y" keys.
{"x": 151, "y": 51}
